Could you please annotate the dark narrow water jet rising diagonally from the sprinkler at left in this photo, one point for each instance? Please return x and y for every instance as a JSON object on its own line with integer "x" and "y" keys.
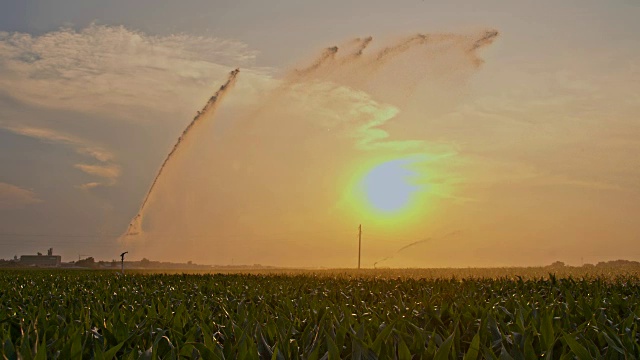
{"x": 209, "y": 107}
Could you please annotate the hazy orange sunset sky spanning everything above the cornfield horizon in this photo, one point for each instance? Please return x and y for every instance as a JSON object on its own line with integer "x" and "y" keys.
{"x": 459, "y": 148}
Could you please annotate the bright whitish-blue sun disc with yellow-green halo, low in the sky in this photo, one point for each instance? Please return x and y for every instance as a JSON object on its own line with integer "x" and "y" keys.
{"x": 387, "y": 188}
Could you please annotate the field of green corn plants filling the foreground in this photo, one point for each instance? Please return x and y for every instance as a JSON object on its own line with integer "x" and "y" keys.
{"x": 101, "y": 315}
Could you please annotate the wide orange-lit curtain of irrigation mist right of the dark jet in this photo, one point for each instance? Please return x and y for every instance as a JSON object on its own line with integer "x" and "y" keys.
{"x": 293, "y": 158}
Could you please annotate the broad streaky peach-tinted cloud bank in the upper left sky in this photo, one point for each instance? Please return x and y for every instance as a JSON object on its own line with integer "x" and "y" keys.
{"x": 111, "y": 69}
